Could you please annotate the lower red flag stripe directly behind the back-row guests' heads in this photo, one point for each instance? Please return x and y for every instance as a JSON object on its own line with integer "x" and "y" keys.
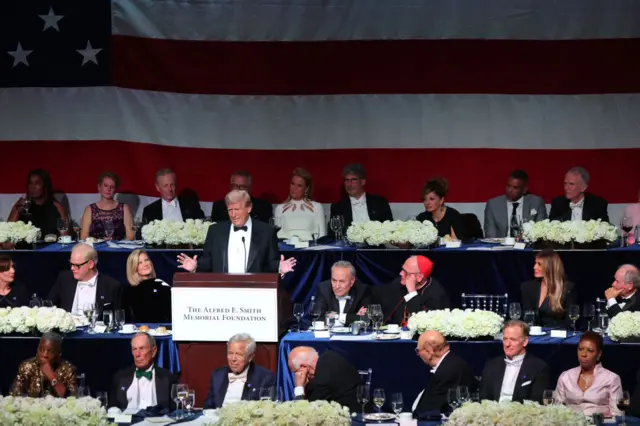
{"x": 474, "y": 175}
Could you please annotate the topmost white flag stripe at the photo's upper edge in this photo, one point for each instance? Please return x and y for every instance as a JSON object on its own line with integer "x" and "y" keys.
{"x": 317, "y": 20}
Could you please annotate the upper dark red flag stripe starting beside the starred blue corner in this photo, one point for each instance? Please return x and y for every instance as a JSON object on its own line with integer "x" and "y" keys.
{"x": 359, "y": 67}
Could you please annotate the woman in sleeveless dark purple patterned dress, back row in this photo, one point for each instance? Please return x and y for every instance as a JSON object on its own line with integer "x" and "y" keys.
{"x": 107, "y": 218}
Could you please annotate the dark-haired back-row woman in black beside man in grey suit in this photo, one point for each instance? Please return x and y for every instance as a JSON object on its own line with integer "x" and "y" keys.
{"x": 445, "y": 218}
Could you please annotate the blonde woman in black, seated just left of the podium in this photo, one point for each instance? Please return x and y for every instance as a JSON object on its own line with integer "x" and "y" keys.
{"x": 147, "y": 298}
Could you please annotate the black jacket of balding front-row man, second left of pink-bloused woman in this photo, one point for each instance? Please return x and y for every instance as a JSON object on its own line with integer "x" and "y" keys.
{"x": 453, "y": 371}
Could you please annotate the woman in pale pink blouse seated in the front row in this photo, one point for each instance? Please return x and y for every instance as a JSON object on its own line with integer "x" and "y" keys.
{"x": 590, "y": 388}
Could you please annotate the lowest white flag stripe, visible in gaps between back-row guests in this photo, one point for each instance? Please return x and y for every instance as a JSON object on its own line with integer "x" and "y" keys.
{"x": 76, "y": 204}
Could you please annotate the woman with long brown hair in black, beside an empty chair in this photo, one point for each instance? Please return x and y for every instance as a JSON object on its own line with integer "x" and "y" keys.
{"x": 549, "y": 294}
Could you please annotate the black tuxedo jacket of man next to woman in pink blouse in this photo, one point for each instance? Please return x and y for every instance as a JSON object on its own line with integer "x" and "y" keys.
{"x": 532, "y": 380}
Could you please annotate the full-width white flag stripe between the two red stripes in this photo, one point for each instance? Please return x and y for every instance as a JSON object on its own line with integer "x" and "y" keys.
{"x": 321, "y": 122}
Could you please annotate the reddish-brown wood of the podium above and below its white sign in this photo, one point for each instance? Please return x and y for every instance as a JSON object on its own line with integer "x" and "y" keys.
{"x": 199, "y": 359}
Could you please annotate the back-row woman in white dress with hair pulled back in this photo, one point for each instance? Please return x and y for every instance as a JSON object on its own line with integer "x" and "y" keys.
{"x": 300, "y": 216}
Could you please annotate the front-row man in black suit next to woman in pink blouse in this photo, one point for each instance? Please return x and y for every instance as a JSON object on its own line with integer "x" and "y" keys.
{"x": 520, "y": 375}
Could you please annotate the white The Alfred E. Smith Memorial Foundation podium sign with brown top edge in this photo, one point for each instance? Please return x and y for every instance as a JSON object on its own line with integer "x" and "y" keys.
{"x": 214, "y": 307}
